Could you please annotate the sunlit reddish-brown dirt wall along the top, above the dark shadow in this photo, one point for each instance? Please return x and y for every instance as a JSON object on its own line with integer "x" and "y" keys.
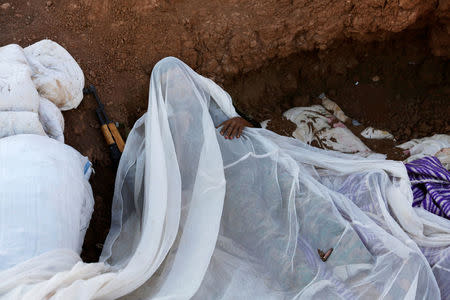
{"x": 218, "y": 38}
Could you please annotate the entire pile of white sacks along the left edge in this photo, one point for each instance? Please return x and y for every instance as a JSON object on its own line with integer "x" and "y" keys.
{"x": 46, "y": 200}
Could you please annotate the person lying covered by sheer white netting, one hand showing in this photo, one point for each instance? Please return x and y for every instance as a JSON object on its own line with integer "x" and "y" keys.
{"x": 236, "y": 212}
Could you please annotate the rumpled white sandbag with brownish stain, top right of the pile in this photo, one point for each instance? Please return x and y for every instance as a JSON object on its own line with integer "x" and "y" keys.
{"x": 56, "y": 74}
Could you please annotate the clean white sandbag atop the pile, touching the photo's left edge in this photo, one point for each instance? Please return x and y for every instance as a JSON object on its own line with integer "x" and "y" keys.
{"x": 17, "y": 91}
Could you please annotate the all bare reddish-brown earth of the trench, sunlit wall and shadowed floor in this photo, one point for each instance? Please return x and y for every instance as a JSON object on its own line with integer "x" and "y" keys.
{"x": 382, "y": 75}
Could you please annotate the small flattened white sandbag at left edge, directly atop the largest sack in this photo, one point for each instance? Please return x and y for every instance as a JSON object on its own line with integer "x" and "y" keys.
{"x": 19, "y": 122}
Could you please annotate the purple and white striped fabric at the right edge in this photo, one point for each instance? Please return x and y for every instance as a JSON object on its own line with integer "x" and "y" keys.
{"x": 430, "y": 183}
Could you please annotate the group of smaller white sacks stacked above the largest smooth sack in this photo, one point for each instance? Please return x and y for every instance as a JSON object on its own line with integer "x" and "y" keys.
{"x": 35, "y": 84}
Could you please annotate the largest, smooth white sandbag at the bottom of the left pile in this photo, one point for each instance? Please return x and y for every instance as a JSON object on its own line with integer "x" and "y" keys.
{"x": 45, "y": 198}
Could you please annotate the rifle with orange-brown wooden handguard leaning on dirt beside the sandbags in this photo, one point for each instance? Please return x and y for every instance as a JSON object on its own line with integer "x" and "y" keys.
{"x": 109, "y": 129}
